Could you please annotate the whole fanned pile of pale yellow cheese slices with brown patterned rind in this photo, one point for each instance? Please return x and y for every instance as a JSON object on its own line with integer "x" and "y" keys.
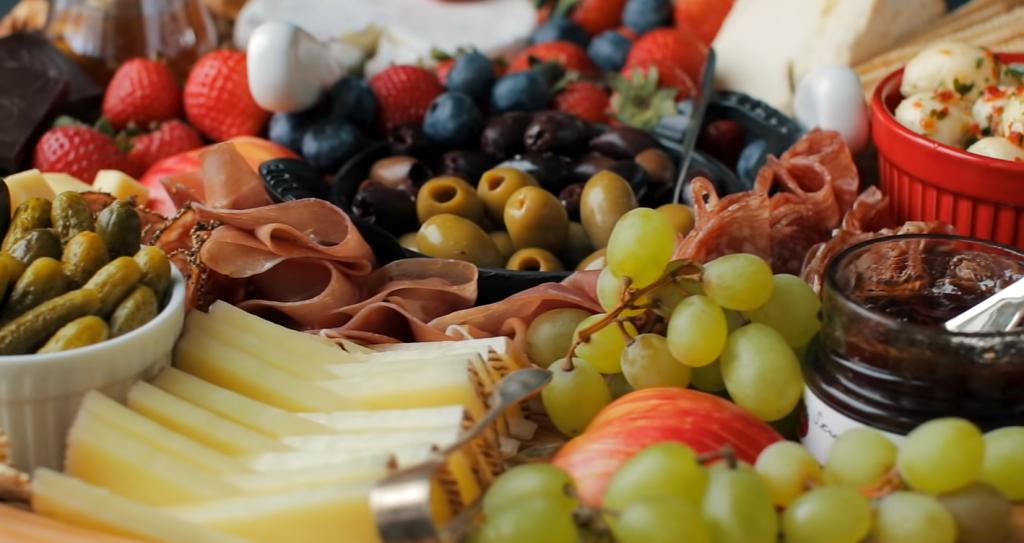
{"x": 262, "y": 434}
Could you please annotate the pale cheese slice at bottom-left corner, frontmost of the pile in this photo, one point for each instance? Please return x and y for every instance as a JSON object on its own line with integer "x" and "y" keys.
{"x": 67, "y": 499}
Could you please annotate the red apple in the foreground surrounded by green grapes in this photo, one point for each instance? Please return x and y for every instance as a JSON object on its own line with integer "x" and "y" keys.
{"x": 641, "y": 420}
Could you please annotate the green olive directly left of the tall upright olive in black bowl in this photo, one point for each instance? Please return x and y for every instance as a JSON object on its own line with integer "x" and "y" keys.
{"x": 534, "y": 218}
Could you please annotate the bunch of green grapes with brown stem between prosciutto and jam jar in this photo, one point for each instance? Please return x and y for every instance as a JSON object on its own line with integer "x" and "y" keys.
{"x": 737, "y": 330}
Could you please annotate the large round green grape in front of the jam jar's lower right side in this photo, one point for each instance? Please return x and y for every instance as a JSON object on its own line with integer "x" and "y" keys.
{"x": 942, "y": 455}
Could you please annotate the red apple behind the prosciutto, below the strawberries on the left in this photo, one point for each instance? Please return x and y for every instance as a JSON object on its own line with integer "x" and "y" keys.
{"x": 254, "y": 150}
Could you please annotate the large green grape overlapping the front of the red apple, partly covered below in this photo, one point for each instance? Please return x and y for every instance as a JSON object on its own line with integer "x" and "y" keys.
{"x": 664, "y": 470}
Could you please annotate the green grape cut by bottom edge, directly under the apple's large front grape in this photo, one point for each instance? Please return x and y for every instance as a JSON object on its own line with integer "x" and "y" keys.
{"x": 662, "y": 520}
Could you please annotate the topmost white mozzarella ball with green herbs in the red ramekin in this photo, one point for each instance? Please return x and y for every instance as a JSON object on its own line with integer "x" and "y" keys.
{"x": 962, "y": 68}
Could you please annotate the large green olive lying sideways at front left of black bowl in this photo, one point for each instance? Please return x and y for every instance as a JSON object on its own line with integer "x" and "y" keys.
{"x": 453, "y": 237}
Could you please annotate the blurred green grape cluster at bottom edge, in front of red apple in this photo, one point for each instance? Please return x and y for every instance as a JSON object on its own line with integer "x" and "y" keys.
{"x": 662, "y": 495}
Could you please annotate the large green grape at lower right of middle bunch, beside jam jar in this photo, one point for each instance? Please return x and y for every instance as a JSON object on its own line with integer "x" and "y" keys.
{"x": 761, "y": 372}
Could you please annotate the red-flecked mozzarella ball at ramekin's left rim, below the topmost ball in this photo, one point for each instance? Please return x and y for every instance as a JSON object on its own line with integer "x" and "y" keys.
{"x": 941, "y": 116}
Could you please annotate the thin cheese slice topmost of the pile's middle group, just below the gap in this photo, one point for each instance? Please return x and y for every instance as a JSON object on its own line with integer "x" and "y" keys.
{"x": 254, "y": 415}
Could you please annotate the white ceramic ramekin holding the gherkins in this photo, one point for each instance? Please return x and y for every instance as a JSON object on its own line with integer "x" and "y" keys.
{"x": 41, "y": 394}
